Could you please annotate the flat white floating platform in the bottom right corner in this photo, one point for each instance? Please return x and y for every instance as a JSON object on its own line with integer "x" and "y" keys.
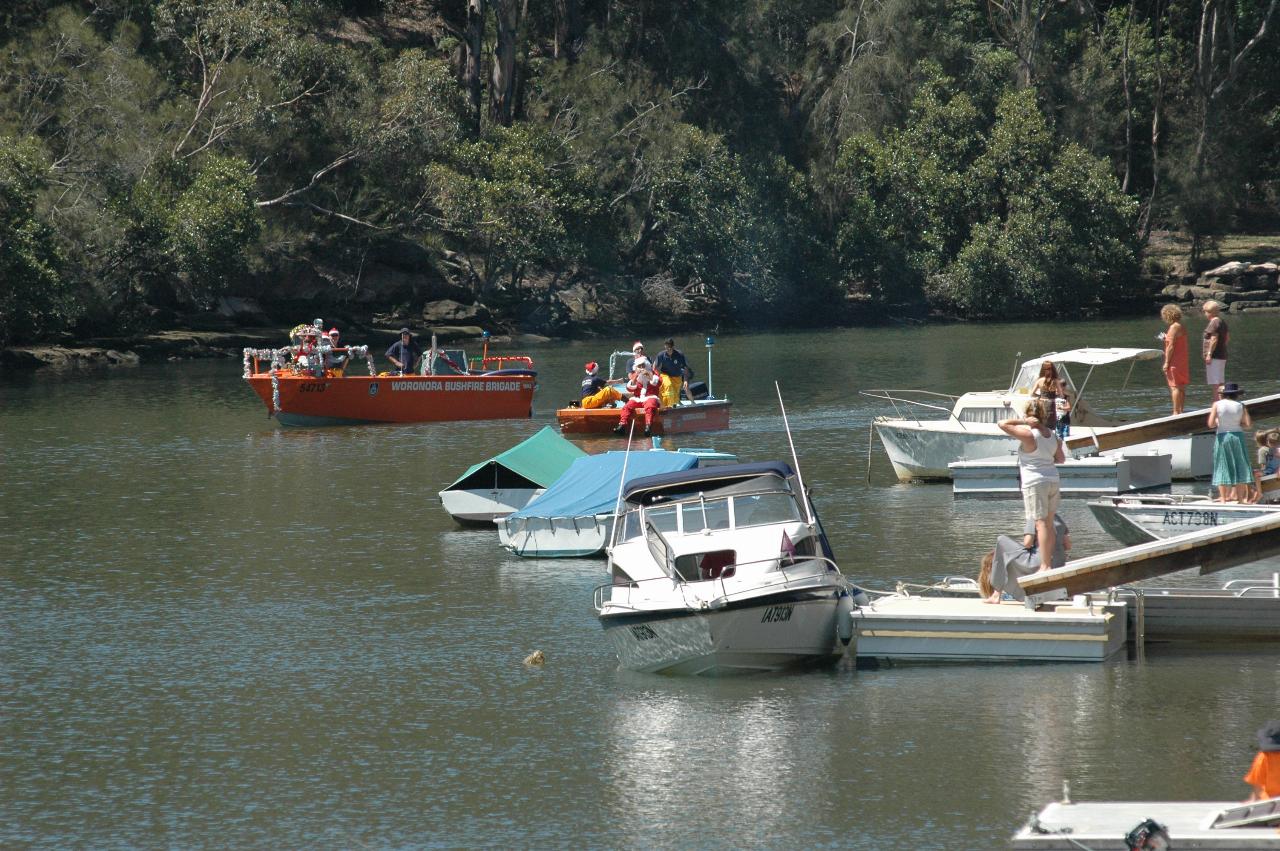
{"x": 1186, "y": 825}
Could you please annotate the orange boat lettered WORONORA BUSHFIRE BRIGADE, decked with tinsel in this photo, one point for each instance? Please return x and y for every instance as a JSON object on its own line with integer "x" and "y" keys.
{"x": 300, "y": 394}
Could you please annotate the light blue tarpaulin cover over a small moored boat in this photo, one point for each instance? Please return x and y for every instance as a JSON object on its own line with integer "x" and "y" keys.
{"x": 591, "y": 486}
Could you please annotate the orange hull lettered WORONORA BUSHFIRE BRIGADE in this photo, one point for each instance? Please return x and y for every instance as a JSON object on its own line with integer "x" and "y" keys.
{"x": 308, "y": 401}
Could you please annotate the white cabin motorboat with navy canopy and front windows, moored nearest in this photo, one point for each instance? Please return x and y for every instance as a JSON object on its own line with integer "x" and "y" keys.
{"x": 723, "y": 571}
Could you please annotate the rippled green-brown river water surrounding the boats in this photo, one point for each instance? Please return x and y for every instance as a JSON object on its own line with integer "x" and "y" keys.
{"x": 216, "y": 633}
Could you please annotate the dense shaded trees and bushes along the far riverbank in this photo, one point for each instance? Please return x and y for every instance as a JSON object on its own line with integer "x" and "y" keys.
{"x": 602, "y": 163}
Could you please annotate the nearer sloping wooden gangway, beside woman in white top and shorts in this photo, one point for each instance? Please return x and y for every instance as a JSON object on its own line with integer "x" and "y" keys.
{"x": 1210, "y": 550}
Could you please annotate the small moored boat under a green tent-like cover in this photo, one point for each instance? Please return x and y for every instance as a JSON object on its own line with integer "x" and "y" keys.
{"x": 510, "y": 481}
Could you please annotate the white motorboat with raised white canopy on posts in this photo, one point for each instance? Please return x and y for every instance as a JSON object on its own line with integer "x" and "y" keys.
{"x": 921, "y": 447}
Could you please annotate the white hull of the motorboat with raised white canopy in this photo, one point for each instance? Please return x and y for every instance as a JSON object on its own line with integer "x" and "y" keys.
{"x": 921, "y": 450}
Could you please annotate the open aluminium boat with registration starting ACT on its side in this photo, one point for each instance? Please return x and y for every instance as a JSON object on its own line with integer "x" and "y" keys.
{"x": 1141, "y": 519}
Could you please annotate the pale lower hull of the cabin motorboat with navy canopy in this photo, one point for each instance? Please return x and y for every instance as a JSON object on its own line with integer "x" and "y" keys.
{"x": 767, "y": 634}
